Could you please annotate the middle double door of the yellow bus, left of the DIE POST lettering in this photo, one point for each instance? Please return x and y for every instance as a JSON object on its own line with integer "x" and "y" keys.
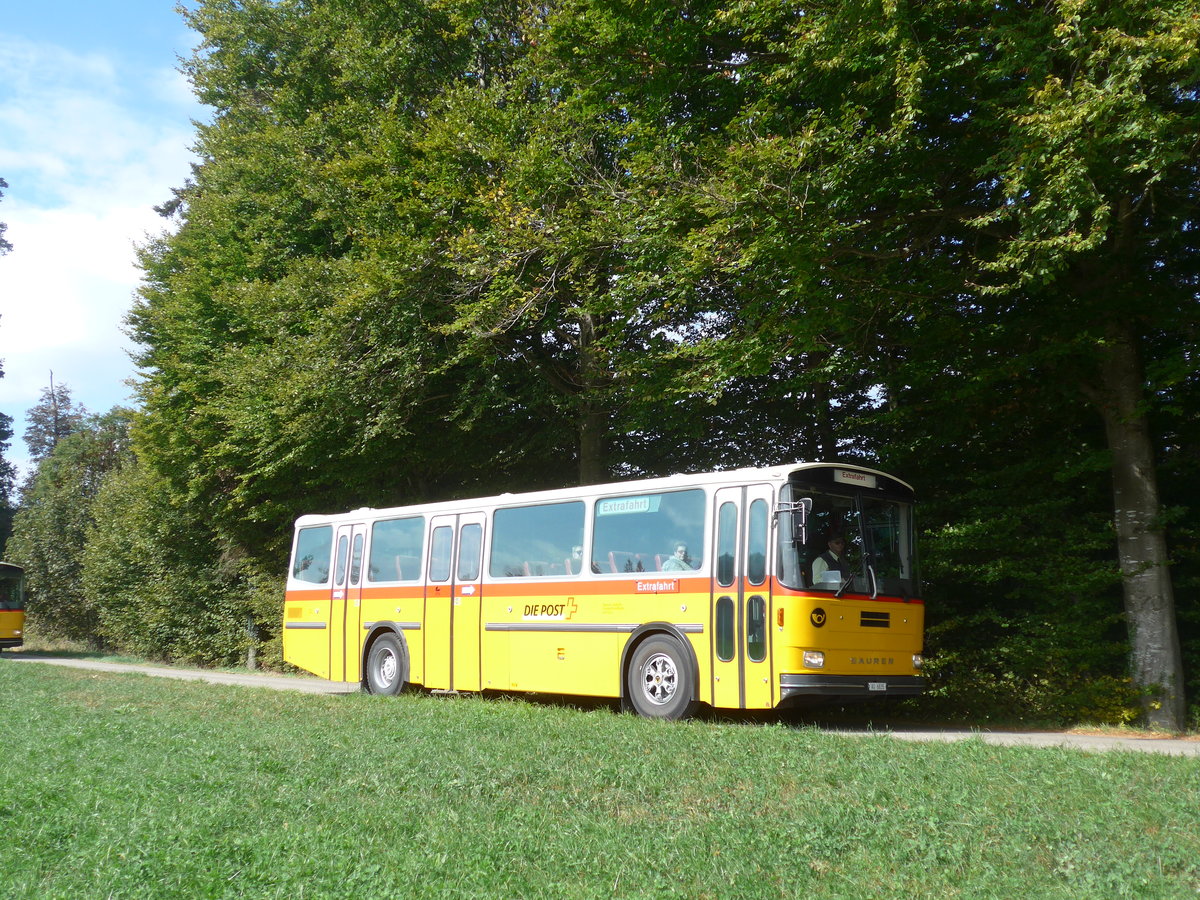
{"x": 454, "y": 603}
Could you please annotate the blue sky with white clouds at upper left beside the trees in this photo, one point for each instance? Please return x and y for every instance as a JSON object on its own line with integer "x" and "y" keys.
{"x": 97, "y": 128}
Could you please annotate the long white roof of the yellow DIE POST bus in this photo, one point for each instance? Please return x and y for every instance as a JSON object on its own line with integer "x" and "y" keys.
{"x": 722, "y": 478}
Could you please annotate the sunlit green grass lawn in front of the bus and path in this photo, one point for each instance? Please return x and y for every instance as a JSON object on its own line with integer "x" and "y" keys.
{"x": 129, "y": 787}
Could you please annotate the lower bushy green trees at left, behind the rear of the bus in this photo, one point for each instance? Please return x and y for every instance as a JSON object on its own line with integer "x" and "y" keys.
{"x": 112, "y": 561}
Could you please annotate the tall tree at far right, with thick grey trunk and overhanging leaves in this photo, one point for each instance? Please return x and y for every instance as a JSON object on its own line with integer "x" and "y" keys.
{"x": 1019, "y": 181}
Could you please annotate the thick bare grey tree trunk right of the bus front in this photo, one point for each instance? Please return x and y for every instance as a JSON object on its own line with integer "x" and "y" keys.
{"x": 1156, "y": 663}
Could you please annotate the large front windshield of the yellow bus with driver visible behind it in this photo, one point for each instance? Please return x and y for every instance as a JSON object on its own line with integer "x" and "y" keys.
{"x": 856, "y": 542}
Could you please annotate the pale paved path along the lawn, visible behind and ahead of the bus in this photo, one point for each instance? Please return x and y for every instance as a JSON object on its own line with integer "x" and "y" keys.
{"x": 1172, "y": 747}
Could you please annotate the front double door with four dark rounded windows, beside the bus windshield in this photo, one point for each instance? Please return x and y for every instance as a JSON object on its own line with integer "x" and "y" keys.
{"x": 741, "y": 609}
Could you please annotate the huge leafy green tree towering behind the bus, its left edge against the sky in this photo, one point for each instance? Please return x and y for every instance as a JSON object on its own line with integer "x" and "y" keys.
{"x": 449, "y": 273}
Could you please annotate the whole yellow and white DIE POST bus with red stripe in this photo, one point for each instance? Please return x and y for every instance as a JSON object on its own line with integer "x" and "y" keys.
{"x": 743, "y": 590}
